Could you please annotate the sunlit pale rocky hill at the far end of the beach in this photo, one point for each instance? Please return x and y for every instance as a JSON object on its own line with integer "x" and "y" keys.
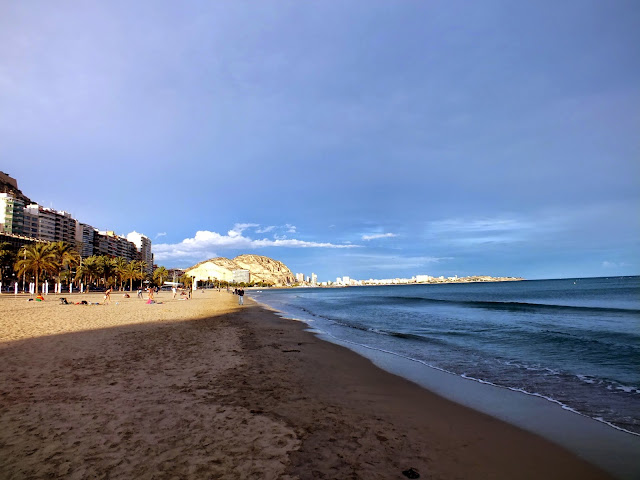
{"x": 262, "y": 269}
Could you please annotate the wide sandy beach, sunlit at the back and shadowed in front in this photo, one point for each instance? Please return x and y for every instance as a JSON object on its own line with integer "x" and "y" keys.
{"x": 204, "y": 388}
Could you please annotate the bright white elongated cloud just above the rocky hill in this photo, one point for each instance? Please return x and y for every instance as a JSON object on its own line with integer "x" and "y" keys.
{"x": 205, "y": 243}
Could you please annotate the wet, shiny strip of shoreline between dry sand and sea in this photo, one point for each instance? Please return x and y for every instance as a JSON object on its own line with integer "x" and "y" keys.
{"x": 608, "y": 446}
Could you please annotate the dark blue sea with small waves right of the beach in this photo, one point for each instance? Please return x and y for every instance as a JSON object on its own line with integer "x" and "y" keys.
{"x": 574, "y": 342}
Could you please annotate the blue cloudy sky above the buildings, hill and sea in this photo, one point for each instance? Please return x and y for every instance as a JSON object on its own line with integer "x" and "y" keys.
{"x": 374, "y": 139}
